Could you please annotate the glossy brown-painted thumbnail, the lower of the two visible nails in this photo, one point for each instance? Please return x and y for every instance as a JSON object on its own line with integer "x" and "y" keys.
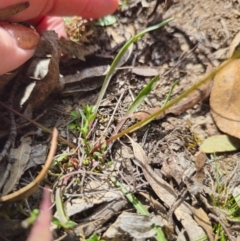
{"x": 26, "y": 38}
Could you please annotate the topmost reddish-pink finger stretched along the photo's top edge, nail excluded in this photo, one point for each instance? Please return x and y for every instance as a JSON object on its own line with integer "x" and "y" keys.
{"x": 84, "y": 8}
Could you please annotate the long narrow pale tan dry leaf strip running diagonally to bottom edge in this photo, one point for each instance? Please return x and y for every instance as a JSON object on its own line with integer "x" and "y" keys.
{"x": 166, "y": 193}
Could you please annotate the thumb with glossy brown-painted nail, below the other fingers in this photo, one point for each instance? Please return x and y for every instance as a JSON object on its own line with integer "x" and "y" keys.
{"x": 17, "y": 45}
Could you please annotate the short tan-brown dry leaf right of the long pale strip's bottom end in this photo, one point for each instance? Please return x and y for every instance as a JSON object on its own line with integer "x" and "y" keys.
{"x": 203, "y": 220}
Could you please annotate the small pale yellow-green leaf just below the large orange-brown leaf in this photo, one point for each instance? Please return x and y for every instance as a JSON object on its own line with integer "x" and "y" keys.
{"x": 220, "y": 143}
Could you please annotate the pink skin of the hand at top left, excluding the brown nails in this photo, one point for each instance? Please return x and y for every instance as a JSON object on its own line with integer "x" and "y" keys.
{"x": 45, "y": 15}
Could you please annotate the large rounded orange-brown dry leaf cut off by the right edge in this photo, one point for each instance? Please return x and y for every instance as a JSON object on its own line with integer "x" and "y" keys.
{"x": 225, "y": 99}
